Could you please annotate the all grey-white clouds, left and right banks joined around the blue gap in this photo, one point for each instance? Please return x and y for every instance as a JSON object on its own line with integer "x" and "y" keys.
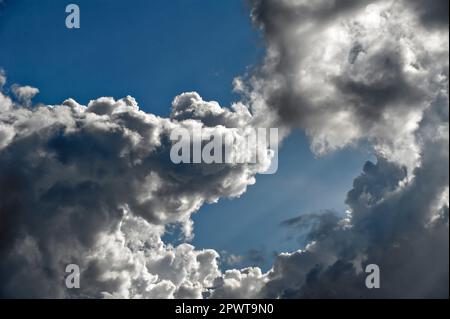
{"x": 94, "y": 185}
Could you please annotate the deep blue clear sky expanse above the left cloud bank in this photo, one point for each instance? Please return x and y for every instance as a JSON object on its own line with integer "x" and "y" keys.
{"x": 152, "y": 51}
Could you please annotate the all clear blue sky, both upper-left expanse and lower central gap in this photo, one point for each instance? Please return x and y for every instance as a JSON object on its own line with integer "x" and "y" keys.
{"x": 154, "y": 50}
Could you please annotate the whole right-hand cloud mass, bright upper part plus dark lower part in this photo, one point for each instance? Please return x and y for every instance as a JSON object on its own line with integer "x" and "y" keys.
{"x": 346, "y": 71}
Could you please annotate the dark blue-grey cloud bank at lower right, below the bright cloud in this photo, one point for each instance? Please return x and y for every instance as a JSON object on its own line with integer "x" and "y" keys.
{"x": 394, "y": 221}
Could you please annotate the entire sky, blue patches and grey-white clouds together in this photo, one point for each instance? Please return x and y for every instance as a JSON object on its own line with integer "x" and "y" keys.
{"x": 357, "y": 89}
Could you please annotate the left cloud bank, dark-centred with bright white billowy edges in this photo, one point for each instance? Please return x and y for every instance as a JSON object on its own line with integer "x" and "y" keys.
{"x": 94, "y": 185}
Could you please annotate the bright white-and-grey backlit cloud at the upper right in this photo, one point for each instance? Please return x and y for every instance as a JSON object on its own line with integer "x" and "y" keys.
{"x": 347, "y": 71}
